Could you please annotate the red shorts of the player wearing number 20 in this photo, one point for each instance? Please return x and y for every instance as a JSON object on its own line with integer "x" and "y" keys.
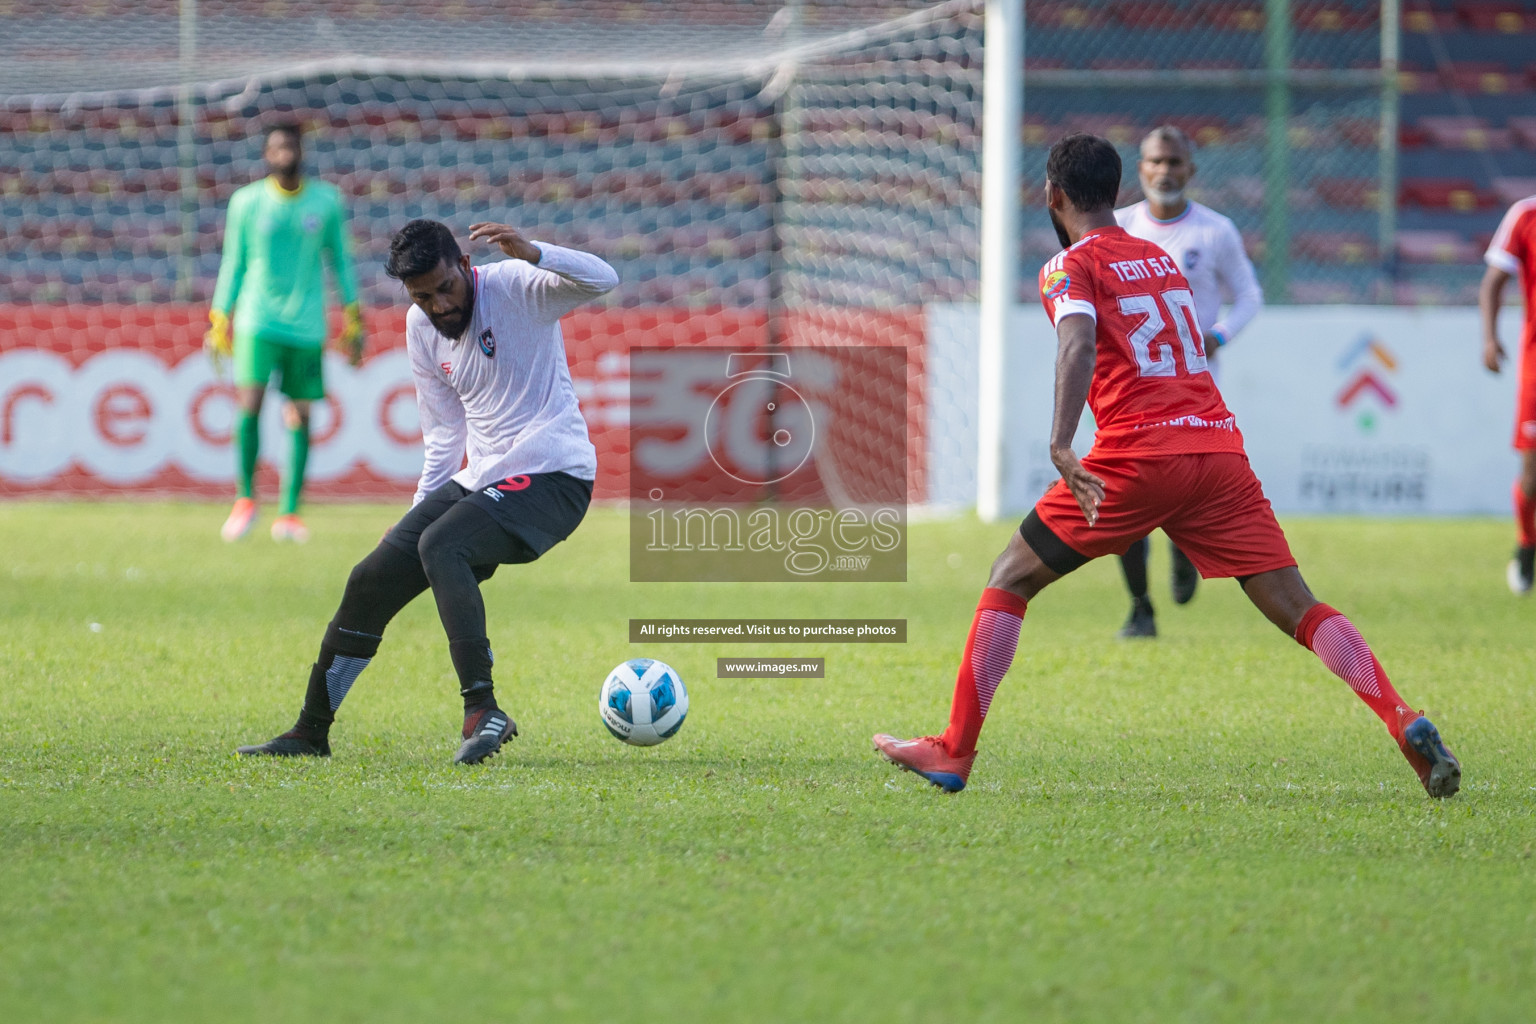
{"x": 1211, "y": 506}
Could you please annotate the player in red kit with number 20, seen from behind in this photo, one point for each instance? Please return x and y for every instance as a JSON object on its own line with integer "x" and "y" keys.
{"x": 1168, "y": 454}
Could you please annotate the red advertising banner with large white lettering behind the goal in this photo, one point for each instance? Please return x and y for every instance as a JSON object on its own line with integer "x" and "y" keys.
{"x": 102, "y": 401}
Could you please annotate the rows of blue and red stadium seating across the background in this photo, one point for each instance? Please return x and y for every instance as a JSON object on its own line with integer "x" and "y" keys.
{"x": 680, "y": 191}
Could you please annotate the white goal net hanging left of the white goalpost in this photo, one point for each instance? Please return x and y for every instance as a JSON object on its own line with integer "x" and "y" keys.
{"x": 760, "y": 174}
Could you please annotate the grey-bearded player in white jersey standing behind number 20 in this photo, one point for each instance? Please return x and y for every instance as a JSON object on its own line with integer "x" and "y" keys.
{"x": 1210, "y": 253}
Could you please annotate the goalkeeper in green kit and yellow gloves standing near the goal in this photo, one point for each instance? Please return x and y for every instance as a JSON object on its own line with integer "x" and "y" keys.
{"x": 277, "y": 236}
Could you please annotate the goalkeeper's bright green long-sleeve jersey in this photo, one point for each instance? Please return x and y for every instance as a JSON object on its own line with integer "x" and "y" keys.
{"x": 271, "y": 271}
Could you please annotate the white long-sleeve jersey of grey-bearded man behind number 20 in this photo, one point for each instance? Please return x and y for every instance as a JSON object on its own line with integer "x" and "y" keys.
{"x": 1210, "y": 253}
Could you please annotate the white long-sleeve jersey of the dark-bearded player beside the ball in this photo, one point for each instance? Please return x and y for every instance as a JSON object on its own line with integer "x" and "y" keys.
{"x": 502, "y": 395}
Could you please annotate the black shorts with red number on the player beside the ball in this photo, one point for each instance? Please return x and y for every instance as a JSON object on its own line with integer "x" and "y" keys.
{"x": 535, "y": 510}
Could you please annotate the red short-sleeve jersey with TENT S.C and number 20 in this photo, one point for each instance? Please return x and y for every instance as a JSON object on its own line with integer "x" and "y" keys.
{"x": 1151, "y": 391}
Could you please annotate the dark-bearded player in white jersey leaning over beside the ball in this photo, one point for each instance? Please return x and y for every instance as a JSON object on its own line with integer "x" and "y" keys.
{"x": 495, "y": 397}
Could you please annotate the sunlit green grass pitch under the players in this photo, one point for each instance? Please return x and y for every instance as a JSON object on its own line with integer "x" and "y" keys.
{"x": 1203, "y": 828}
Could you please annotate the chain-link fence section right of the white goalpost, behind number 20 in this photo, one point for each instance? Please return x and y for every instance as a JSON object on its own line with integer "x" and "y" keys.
{"x": 1286, "y": 125}
